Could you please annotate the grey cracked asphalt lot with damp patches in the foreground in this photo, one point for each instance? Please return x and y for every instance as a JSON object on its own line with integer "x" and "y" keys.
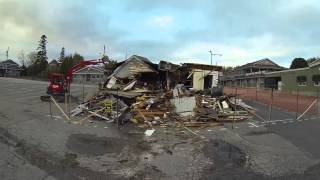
{"x": 36, "y": 146}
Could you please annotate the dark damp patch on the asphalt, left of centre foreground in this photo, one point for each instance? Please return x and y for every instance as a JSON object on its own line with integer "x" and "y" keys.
{"x": 92, "y": 145}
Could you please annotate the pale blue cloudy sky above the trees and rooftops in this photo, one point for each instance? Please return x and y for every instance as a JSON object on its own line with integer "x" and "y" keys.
{"x": 174, "y": 30}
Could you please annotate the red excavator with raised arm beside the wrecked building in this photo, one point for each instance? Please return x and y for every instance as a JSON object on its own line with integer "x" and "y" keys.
{"x": 60, "y": 84}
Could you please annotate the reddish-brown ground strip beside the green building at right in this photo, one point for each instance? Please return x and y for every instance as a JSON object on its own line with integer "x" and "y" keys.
{"x": 297, "y": 104}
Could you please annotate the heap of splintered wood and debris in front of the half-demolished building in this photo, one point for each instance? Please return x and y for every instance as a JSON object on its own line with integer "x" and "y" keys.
{"x": 177, "y": 106}
